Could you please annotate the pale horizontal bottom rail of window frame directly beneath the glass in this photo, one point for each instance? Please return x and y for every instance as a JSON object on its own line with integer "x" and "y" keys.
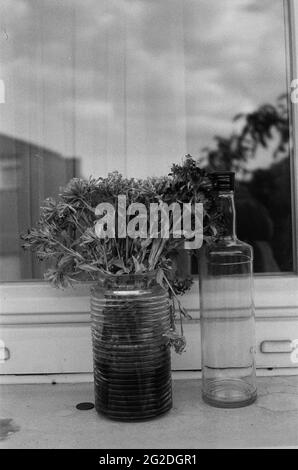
{"x": 38, "y": 301}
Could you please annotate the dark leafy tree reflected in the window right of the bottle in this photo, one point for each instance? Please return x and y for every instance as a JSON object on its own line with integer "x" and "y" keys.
{"x": 264, "y": 200}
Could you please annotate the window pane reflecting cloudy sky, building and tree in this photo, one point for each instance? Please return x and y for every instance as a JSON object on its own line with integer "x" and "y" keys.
{"x": 133, "y": 85}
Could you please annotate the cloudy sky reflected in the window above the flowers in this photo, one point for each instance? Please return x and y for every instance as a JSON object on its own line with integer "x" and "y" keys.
{"x": 135, "y": 84}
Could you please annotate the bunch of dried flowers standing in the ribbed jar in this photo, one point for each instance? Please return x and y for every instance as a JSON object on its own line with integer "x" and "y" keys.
{"x": 65, "y": 233}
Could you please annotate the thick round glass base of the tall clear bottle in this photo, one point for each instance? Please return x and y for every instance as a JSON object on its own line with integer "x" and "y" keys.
{"x": 229, "y": 393}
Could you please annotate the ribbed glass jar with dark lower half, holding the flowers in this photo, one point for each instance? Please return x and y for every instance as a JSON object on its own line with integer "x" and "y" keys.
{"x": 132, "y": 363}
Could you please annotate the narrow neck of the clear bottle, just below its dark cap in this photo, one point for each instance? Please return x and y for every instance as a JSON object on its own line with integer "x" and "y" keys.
{"x": 226, "y": 207}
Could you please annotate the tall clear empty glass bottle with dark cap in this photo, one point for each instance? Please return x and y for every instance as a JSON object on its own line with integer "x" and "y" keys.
{"x": 227, "y": 309}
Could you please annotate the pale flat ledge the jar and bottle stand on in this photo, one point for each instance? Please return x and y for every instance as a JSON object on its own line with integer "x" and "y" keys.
{"x": 47, "y": 418}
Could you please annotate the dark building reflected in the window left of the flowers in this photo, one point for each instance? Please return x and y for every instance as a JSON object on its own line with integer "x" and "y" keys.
{"x": 28, "y": 174}
